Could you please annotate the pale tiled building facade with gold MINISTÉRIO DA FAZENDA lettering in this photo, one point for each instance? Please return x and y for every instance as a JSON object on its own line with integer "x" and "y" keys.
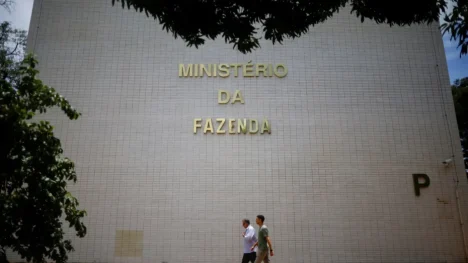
{"x": 361, "y": 109}
